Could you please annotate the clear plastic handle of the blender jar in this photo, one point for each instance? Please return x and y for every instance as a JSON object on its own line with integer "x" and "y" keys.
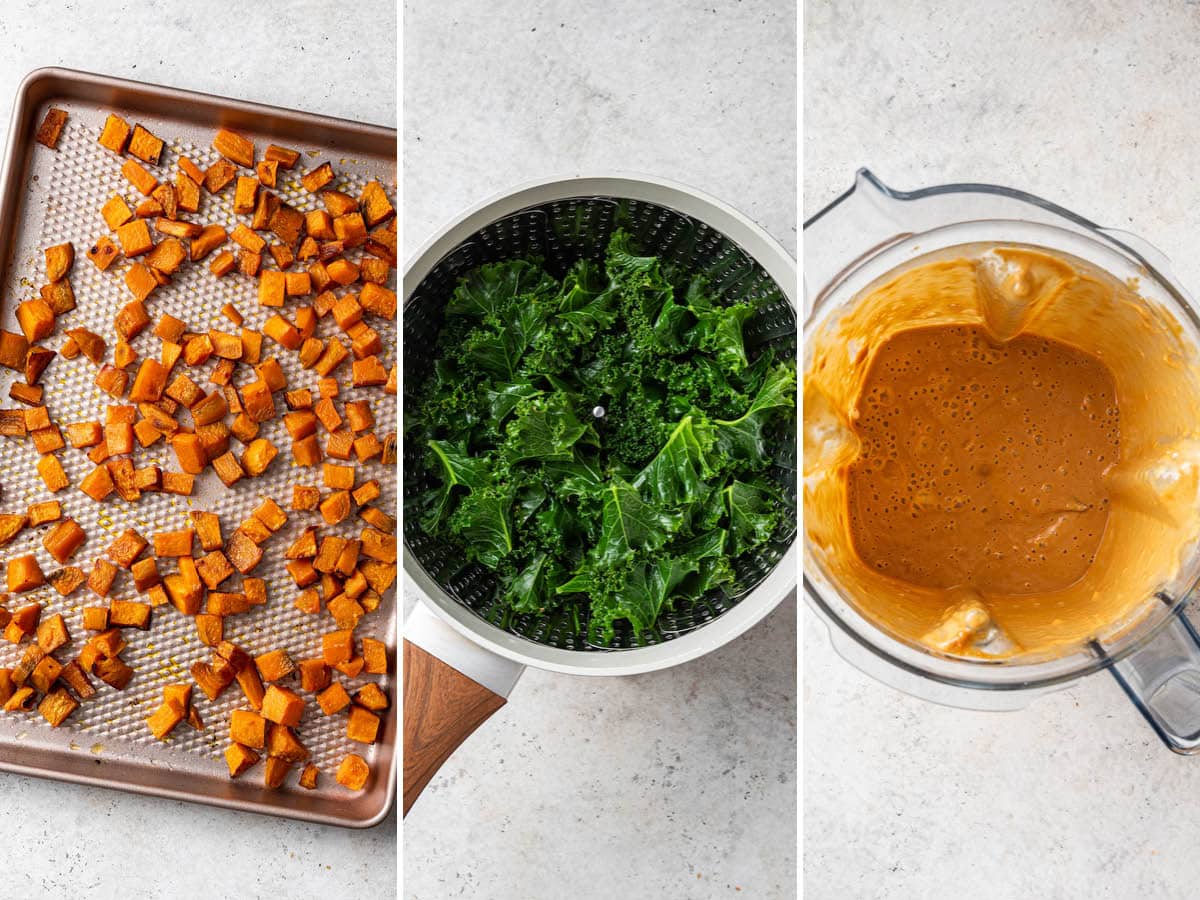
{"x": 1163, "y": 681}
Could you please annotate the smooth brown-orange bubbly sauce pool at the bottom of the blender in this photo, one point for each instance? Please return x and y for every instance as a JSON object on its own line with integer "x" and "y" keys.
{"x": 982, "y": 464}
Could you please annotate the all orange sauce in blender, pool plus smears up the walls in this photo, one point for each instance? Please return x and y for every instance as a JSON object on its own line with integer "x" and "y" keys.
{"x": 1001, "y": 454}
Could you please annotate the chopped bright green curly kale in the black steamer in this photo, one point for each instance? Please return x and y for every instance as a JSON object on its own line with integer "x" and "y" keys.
{"x": 602, "y": 441}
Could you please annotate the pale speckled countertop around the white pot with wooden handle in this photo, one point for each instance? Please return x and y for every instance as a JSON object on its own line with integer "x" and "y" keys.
{"x": 679, "y": 784}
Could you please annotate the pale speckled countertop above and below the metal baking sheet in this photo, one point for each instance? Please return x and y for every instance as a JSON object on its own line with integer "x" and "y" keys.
{"x": 89, "y": 843}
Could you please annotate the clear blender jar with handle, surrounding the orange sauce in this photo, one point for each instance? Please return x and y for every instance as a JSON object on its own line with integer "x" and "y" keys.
{"x": 862, "y": 237}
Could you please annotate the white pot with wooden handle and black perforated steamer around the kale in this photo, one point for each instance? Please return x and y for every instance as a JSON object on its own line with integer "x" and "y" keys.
{"x": 470, "y": 634}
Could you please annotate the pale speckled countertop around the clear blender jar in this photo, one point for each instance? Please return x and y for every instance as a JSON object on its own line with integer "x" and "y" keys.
{"x": 1094, "y": 106}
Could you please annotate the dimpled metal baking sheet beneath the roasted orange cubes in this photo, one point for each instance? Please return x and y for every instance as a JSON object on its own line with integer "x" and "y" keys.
{"x": 55, "y": 196}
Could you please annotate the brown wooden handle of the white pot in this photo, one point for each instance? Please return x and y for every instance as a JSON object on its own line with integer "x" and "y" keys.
{"x": 442, "y": 709}
